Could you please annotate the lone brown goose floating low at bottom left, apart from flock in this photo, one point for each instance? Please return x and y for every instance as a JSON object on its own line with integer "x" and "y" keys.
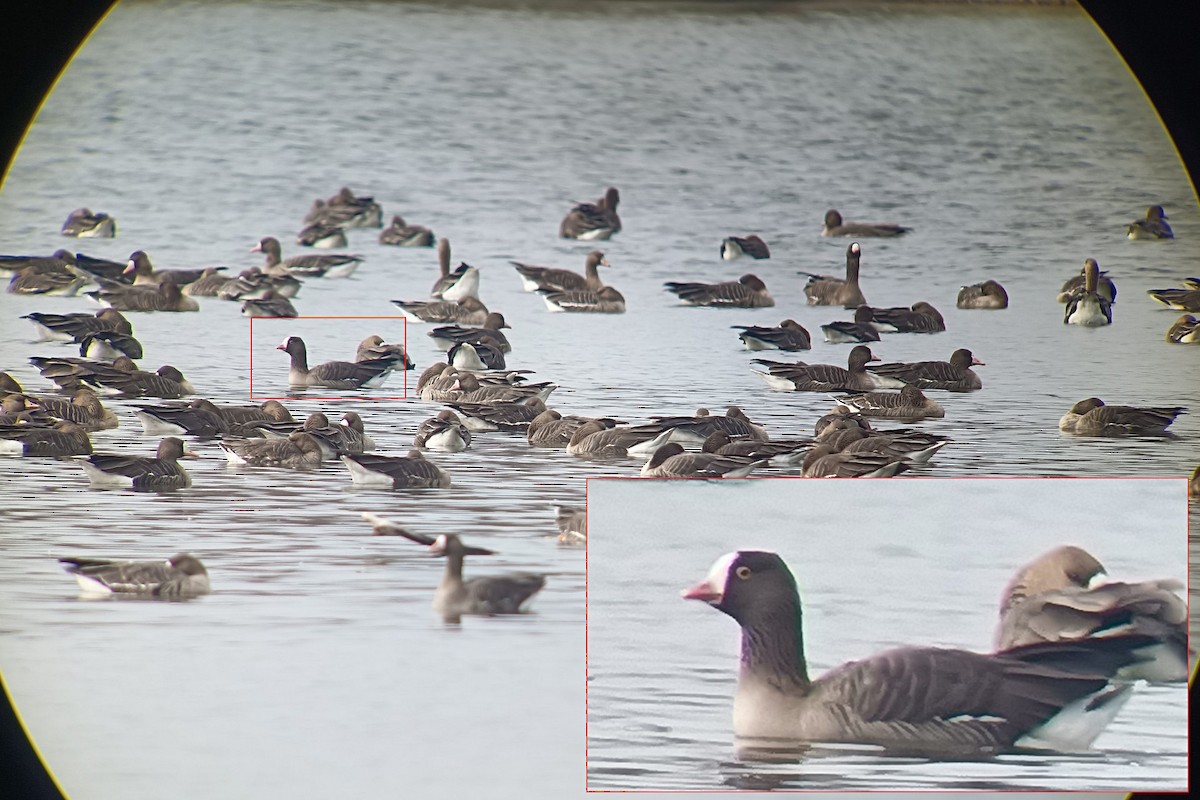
{"x": 179, "y": 578}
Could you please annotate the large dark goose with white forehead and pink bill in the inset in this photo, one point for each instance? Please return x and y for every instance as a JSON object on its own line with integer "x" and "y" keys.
{"x": 934, "y": 702}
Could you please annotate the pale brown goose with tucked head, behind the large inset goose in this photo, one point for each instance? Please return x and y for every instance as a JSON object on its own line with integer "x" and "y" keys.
{"x": 1053, "y": 599}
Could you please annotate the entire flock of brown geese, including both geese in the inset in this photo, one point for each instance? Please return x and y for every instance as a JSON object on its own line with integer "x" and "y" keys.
{"x": 993, "y": 702}
